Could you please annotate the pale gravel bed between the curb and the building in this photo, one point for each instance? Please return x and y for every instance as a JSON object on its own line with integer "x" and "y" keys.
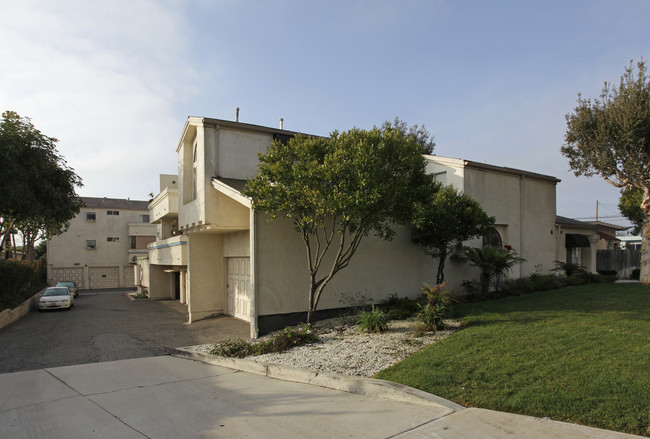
{"x": 344, "y": 350}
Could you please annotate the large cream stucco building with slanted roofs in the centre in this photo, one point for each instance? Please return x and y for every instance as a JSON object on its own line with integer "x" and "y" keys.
{"x": 218, "y": 256}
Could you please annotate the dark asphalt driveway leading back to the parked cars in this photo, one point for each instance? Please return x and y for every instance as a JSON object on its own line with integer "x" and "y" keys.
{"x": 106, "y": 326}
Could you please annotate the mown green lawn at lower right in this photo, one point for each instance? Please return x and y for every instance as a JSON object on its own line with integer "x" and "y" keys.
{"x": 578, "y": 354}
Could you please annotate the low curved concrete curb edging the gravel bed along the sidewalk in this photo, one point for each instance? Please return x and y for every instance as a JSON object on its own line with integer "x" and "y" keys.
{"x": 357, "y": 385}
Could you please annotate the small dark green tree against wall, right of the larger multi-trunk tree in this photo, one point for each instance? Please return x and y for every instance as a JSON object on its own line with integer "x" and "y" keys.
{"x": 444, "y": 221}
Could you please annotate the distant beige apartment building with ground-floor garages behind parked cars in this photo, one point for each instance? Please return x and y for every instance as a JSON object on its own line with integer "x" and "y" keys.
{"x": 101, "y": 244}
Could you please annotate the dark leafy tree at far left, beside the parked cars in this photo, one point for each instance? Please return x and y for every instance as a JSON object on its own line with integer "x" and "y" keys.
{"x": 38, "y": 196}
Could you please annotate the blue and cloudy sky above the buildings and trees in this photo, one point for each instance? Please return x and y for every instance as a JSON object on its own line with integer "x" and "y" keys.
{"x": 492, "y": 81}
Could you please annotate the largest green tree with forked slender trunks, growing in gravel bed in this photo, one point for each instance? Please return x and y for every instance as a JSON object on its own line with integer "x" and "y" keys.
{"x": 337, "y": 190}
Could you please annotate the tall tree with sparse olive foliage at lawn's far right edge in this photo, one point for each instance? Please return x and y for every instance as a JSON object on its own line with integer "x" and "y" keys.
{"x": 610, "y": 137}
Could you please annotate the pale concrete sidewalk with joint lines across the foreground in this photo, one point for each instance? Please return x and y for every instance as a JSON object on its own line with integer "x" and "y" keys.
{"x": 170, "y": 397}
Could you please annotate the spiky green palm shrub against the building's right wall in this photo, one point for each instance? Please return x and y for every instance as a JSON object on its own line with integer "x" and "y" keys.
{"x": 493, "y": 262}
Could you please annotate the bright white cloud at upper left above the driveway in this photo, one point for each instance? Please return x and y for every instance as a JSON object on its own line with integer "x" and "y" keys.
{"x": 106, "y": 79}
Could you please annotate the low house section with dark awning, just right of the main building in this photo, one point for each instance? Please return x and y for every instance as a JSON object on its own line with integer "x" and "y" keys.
{"x": 576, "y": 242}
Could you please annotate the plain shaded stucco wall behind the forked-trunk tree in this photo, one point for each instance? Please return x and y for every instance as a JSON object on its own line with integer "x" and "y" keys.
{"x": 378, "y": 270}
